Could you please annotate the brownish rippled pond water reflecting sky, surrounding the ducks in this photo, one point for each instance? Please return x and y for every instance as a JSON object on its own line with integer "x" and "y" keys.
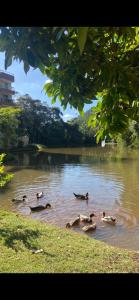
{"x": 110, "y": 176}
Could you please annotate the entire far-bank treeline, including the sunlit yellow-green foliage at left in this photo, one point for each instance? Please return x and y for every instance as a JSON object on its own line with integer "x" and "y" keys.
{"x": 41, "y": 124}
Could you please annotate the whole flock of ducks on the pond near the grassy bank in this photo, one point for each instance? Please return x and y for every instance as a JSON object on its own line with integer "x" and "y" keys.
{"x": 80, "y": 218}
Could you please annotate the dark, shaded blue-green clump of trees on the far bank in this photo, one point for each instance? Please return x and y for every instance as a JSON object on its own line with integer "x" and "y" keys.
{"x": 44, "y": 125}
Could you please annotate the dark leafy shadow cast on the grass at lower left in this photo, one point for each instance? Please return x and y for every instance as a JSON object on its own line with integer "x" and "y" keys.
{"x": 18, "y": 236}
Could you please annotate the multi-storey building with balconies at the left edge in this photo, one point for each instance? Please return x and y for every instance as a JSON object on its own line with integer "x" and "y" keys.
{"x": 6, "y": 89}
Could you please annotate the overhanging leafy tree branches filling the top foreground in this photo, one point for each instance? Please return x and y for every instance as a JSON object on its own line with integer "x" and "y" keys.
{"x": 83, "y": 64}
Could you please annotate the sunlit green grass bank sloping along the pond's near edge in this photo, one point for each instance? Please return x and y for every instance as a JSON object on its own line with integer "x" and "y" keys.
{"x": 64, "y": 251}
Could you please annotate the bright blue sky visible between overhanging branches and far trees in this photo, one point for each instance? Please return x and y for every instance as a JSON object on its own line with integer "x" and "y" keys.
{"x": 32, "y": 83}
